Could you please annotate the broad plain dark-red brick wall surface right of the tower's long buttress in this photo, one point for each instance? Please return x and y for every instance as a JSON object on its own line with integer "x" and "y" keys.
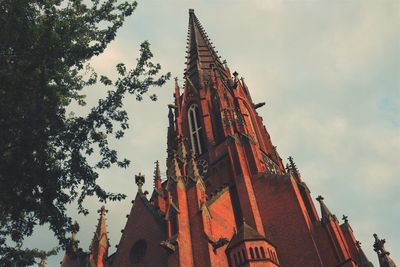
{"x": 285, "y": 221}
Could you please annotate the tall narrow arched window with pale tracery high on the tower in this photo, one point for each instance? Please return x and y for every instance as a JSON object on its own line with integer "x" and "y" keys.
{"x": 196, "y": 131}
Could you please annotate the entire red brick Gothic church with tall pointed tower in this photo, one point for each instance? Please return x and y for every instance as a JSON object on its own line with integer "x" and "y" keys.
{"x": 228, "y": 199}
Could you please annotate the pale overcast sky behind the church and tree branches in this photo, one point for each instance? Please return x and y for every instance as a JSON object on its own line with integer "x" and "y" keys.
{"x": 329, "y": 72}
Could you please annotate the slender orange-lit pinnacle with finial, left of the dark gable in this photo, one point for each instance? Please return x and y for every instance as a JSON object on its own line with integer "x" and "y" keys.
{"x": 100, "y": 244}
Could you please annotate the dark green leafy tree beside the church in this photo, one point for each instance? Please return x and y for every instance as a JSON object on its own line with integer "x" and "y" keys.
{"x": 44, "y": 152}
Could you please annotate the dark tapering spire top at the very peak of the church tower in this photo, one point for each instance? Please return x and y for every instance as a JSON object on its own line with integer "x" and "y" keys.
{"x": 201, "y": 55}
